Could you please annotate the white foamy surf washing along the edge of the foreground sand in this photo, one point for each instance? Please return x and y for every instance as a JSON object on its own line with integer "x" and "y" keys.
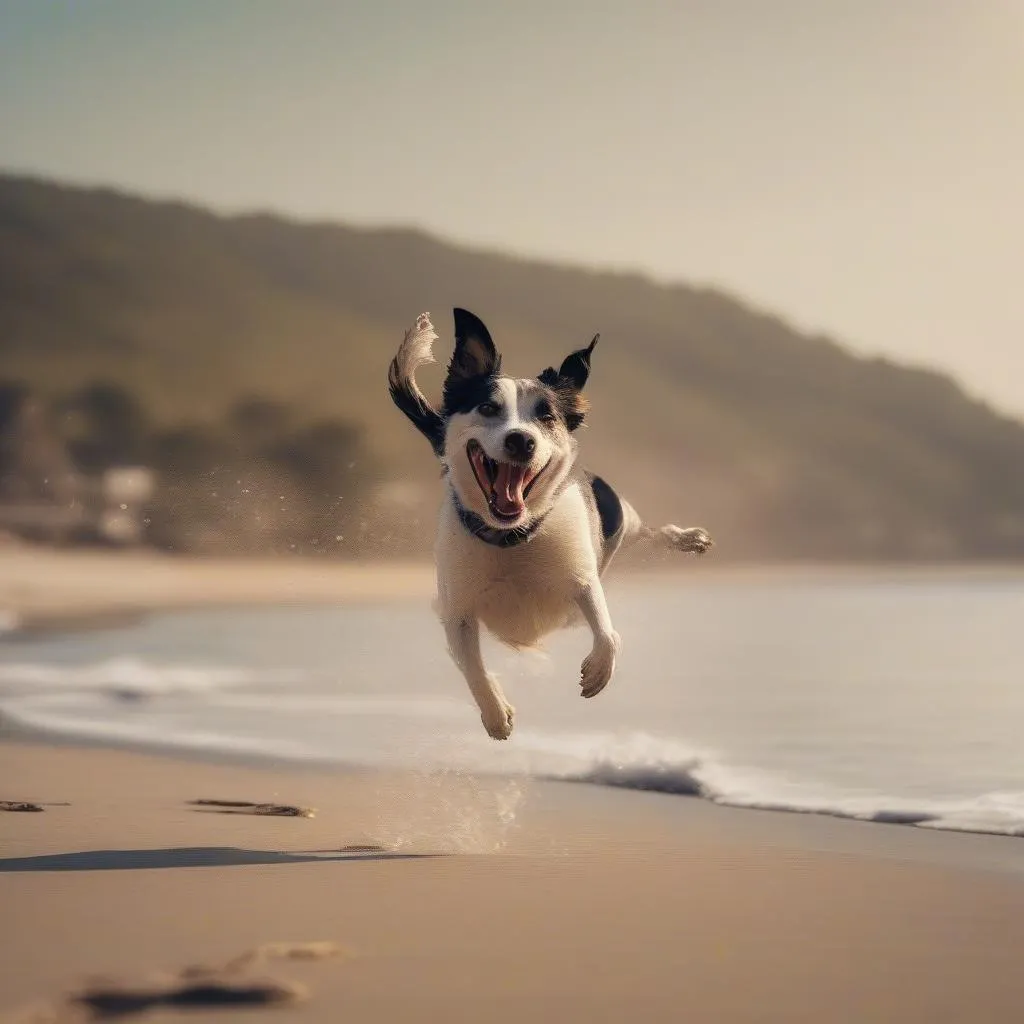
{"x": 88, "y": 700}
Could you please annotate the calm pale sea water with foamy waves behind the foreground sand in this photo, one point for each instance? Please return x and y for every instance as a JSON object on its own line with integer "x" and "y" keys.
{"x": 899, "y": 700}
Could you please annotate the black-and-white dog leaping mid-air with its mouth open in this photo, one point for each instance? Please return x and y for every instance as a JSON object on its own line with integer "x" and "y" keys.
{"x": 525, "y": 536}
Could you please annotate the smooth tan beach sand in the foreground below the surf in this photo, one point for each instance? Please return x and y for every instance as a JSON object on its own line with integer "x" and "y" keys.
{"x": 461, "y": 900}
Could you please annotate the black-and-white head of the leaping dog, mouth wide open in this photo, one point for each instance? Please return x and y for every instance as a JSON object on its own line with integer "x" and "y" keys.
{"x": 509, "y": 444}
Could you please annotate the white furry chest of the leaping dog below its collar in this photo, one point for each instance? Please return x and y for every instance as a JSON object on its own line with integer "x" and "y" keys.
{"x": 523, "y": 593}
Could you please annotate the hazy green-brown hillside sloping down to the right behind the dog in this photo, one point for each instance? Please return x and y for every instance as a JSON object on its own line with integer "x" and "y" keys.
{"x": 704, "y": 410}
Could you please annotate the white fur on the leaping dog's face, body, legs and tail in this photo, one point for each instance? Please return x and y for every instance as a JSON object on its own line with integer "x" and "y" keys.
{"x": 523, "y": 593}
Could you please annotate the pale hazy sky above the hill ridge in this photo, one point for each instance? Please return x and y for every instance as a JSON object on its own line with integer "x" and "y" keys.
{"x": 857, "y": 166}
